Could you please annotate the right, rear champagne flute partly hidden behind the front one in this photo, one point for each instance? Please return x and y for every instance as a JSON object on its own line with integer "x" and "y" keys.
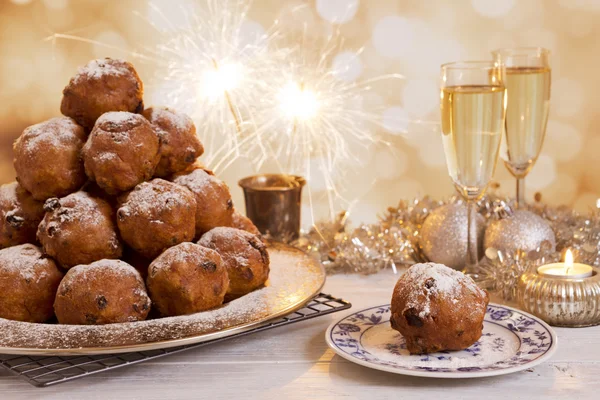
{"x": 528, "y": 77}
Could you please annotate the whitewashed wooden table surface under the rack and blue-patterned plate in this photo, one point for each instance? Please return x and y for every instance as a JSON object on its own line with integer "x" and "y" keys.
{"x": 294, "y": 362}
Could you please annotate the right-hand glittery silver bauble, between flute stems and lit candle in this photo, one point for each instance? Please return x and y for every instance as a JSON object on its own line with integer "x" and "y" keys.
{"x": 523, "y": 230}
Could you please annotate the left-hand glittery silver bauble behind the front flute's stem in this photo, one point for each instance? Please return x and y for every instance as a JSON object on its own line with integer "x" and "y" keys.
{"x": 443, "y": 236}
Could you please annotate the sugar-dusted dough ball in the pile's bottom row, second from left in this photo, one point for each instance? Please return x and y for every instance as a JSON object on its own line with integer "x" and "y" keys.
{"x": 103, "y": 292}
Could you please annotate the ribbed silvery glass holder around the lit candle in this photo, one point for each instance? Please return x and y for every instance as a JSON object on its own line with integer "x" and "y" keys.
{"x": 561, "y": 301}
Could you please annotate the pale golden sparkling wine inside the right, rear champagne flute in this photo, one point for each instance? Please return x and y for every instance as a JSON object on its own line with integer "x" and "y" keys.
{"x": 528, "y": 102}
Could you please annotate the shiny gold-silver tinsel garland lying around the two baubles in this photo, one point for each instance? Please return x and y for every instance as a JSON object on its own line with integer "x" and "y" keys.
{"x": 393, "y": 241}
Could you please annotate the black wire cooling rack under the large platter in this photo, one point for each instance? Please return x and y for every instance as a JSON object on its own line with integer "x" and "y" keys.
{"x": 43, "y": 371}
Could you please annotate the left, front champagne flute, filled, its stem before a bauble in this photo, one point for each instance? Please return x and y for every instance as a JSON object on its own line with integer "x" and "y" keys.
{"x": 473, "y": 105}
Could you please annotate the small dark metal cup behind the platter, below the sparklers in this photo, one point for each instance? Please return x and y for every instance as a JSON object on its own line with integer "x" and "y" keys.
{"x": 273, "y": 204}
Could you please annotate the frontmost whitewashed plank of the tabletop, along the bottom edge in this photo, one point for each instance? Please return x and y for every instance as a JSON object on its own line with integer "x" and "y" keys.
{"x": 331, "y": 377}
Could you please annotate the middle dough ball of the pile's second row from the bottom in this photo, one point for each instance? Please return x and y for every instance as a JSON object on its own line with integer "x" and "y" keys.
{"x": 155, "y": 216}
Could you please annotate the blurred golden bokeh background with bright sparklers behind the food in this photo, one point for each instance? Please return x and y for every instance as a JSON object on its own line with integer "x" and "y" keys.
{"x": 407, "y": 38}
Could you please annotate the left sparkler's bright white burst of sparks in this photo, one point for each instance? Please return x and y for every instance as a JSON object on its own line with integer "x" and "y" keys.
{"x": 210, "y": 70}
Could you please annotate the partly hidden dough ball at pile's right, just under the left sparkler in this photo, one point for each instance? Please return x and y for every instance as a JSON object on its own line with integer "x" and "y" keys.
{"x": 180, "y": 146}
